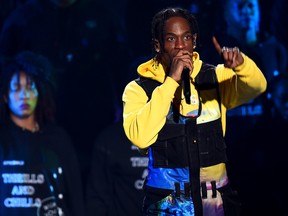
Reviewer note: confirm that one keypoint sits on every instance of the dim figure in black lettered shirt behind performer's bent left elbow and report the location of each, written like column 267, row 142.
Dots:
column 117, row 175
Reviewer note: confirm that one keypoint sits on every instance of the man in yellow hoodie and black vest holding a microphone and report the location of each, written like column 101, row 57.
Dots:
column 175, row 112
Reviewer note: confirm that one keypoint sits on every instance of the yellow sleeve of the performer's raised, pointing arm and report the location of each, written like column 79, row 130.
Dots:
column 243, row 84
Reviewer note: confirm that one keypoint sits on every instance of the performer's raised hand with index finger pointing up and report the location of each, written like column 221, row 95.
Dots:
column 231, row 56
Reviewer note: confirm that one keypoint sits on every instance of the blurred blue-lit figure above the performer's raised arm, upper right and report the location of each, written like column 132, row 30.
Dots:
column 243, row 20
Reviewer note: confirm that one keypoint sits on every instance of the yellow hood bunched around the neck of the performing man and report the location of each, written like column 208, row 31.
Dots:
column 154, row 70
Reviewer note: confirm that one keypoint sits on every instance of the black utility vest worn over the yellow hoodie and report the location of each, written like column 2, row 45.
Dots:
column 176, row 142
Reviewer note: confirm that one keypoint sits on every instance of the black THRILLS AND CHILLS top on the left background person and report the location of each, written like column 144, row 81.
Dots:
column 36, row 178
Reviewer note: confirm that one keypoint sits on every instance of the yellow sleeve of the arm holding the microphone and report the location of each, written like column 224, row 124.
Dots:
column 143, row 120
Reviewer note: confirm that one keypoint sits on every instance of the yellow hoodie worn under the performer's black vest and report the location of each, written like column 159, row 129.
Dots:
column 143, row 120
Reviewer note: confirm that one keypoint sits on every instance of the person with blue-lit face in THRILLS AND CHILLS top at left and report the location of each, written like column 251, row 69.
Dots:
column 40, row 174
